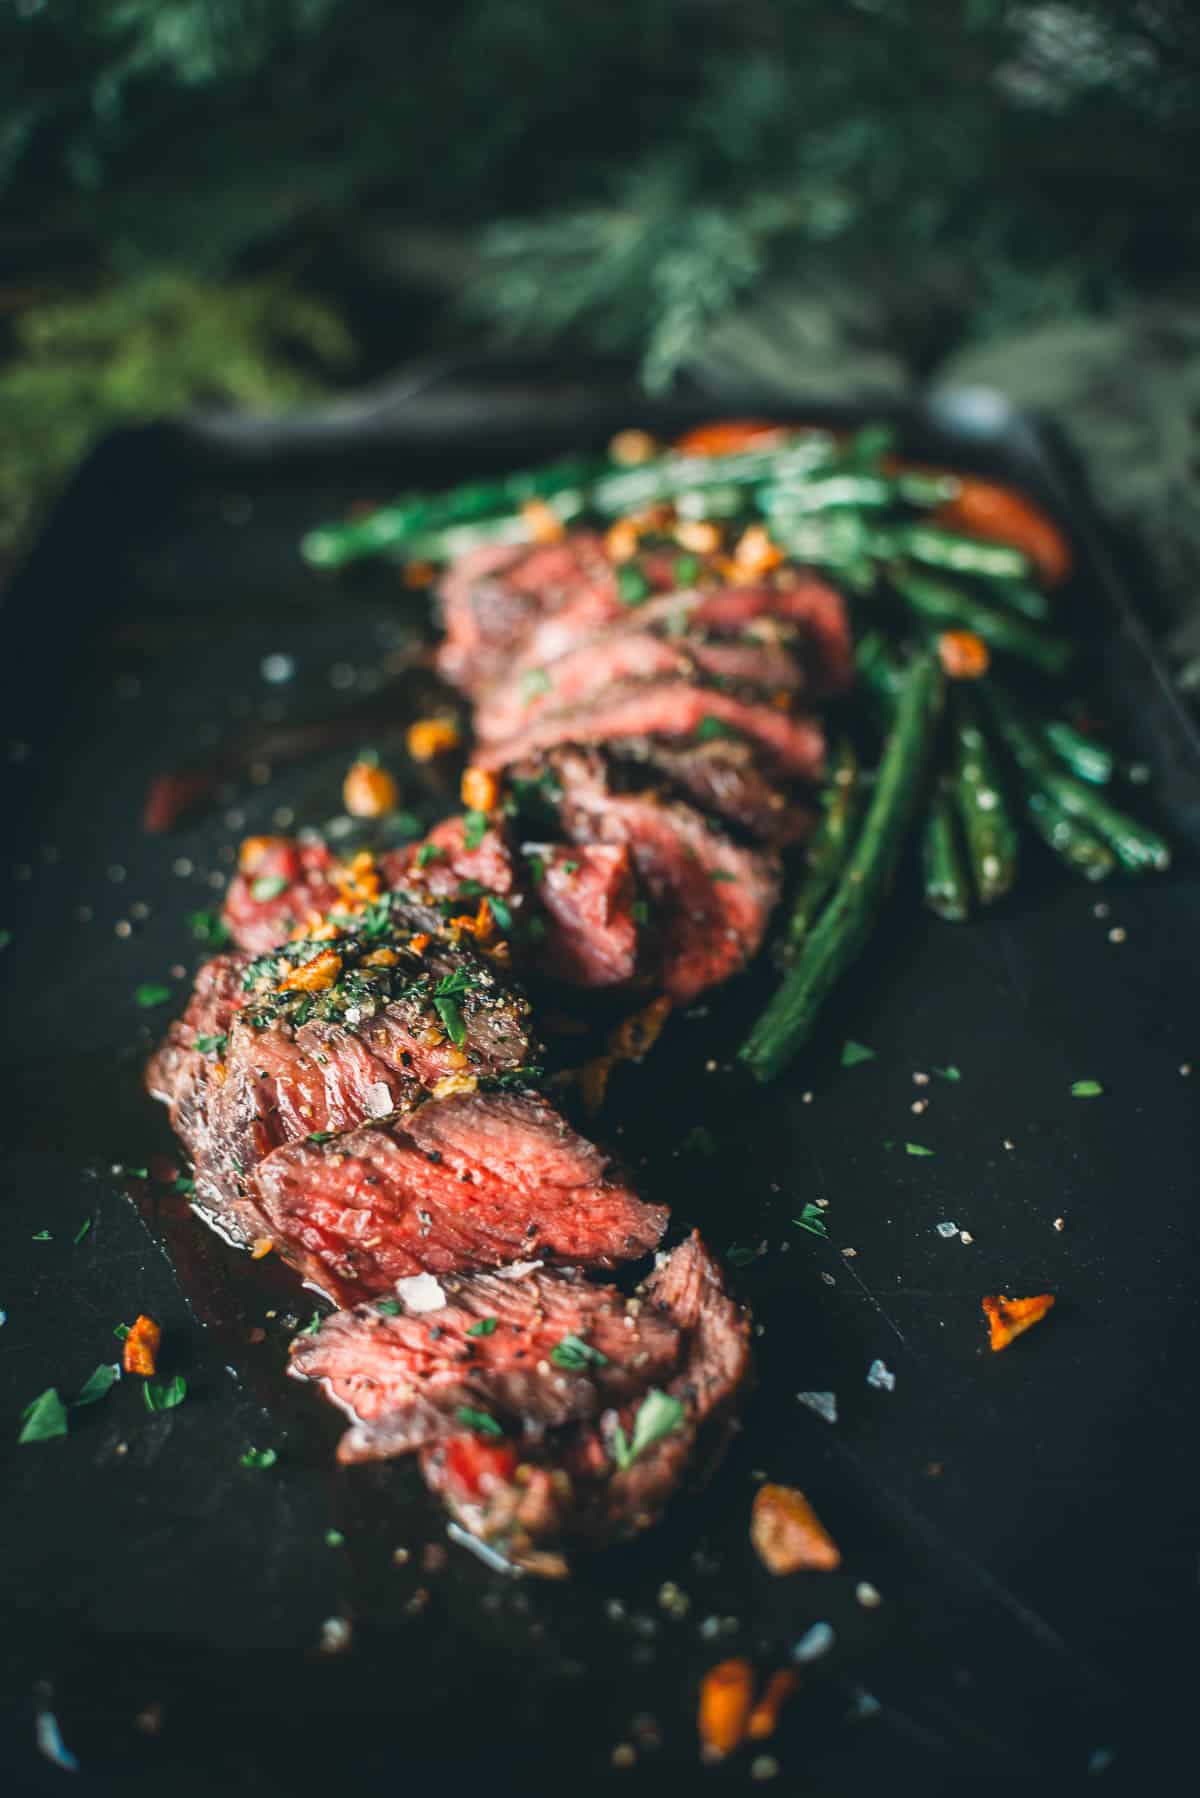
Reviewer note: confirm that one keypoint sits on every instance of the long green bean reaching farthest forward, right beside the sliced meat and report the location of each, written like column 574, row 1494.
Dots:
column 848, row 920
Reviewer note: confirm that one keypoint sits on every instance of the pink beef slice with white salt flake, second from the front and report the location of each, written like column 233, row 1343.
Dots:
column 533, row 1353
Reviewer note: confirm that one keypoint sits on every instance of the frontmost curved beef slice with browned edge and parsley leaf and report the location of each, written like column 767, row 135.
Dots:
column 605, row 1481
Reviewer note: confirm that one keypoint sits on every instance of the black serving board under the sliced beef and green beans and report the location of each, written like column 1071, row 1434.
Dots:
column 1030, row 1518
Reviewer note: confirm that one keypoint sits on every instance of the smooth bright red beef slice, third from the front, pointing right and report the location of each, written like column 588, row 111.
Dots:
column 470, row 1182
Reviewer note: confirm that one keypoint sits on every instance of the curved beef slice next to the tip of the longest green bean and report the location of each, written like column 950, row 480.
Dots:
column 713, row 898
